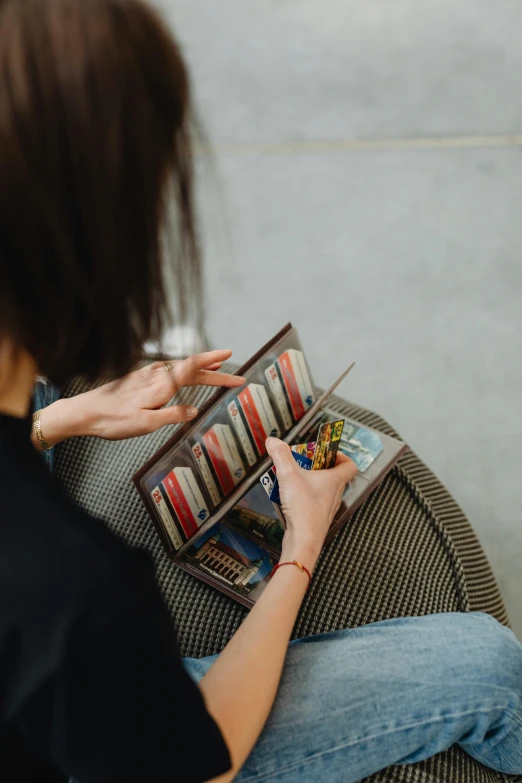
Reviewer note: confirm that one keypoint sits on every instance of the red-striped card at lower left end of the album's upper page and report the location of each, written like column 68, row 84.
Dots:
column 179, row 497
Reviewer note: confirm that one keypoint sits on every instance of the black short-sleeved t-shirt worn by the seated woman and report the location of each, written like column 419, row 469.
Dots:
column 91, row 681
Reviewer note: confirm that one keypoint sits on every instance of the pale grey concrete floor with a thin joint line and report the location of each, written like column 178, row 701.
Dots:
column 369, row 188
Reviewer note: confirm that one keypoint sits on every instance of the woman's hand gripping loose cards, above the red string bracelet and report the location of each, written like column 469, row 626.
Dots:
column 309, row 501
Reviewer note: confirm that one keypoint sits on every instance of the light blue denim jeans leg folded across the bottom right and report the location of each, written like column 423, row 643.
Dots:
column 395, row 692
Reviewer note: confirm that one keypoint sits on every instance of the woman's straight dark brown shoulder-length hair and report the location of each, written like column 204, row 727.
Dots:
column 95, row 148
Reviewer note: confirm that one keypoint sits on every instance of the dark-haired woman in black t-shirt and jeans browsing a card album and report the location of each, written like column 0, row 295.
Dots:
column 94, row 142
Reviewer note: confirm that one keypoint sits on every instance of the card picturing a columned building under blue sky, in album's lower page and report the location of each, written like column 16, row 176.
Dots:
column 231, row 558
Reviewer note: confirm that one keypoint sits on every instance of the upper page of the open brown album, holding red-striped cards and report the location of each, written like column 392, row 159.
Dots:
column 211, row 462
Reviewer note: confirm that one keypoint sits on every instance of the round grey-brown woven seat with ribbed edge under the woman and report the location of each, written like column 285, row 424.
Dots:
column 409, row 550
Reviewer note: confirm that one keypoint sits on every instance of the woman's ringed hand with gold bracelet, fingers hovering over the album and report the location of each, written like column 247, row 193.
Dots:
column 134, row 404
